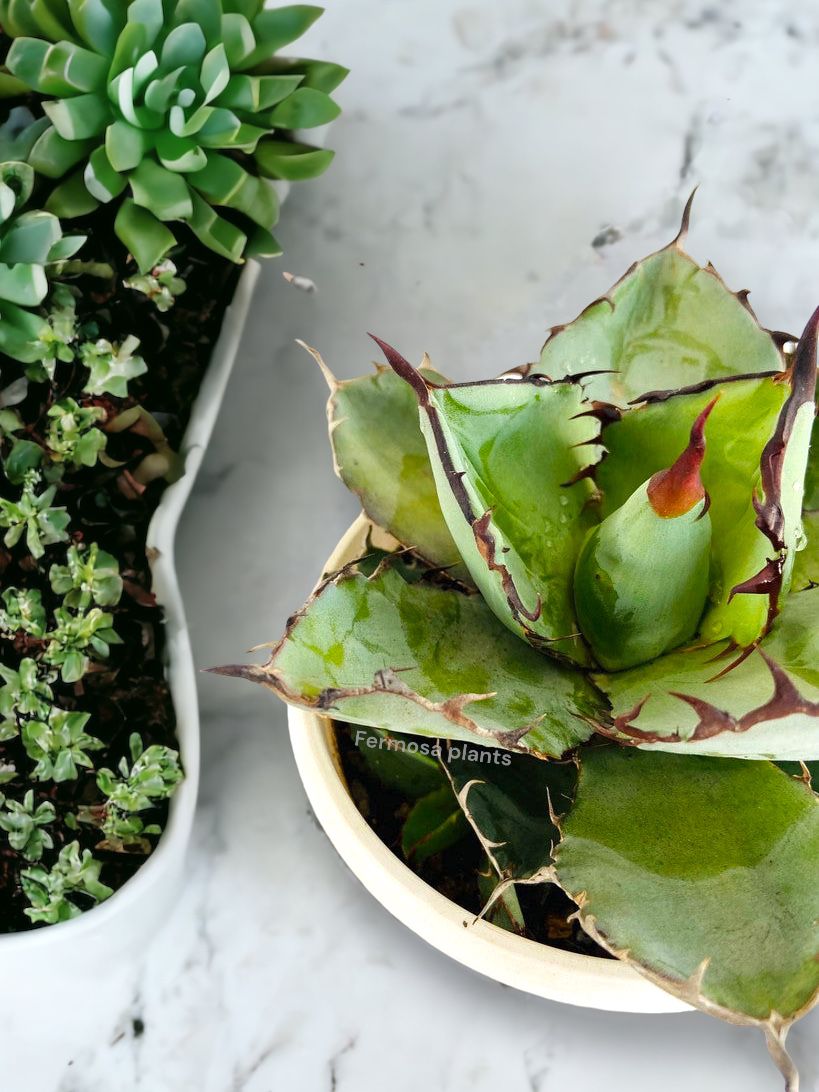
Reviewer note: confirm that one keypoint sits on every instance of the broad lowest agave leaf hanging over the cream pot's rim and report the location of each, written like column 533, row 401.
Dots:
column 702, row 874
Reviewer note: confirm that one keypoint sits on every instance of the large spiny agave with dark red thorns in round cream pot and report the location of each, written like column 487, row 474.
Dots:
column 596, row 556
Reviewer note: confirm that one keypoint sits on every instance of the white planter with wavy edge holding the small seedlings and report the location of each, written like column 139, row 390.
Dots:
column 135, row 912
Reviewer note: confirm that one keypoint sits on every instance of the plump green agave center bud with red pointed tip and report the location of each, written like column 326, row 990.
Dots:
column 643, row 576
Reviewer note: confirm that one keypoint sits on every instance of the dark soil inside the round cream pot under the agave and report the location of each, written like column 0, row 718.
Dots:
column 455, row 872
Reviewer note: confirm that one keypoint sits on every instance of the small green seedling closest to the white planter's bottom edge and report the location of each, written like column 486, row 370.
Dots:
column 53, row 894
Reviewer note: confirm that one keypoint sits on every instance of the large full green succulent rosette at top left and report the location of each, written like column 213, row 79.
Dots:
column 175, row 109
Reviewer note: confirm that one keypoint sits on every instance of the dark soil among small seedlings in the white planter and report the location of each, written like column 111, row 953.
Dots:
column 128, row 693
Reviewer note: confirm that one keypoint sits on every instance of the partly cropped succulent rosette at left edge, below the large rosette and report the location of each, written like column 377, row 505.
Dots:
column 32, row 246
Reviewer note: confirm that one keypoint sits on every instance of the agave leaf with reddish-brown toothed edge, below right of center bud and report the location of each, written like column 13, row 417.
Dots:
column 766, row 707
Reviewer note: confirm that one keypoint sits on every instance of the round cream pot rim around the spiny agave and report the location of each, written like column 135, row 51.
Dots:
column 515, row 962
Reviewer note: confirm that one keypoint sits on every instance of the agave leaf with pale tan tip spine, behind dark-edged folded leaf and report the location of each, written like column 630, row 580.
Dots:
column 381, row 455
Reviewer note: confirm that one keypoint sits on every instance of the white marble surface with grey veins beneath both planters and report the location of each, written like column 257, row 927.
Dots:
column 500, row 164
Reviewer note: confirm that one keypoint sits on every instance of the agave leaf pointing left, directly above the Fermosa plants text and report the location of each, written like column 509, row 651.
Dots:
column 412, row 657
